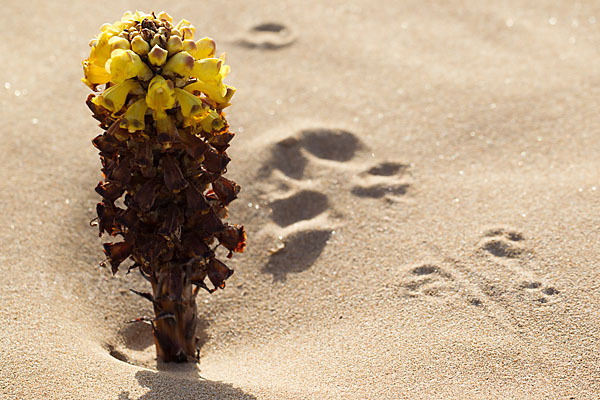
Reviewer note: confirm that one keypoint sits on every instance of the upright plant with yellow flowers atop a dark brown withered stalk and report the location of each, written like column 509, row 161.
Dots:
column 159, row 97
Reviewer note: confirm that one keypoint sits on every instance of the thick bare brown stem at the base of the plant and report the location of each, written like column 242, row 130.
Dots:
column 176, row 315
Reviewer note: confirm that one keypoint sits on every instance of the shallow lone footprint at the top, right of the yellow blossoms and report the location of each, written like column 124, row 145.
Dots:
column 268, row 36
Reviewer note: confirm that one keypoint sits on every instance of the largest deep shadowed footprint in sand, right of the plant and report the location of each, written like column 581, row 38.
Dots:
column 300, row 208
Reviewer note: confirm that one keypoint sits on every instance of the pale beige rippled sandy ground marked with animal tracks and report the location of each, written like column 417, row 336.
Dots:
column 421, row 187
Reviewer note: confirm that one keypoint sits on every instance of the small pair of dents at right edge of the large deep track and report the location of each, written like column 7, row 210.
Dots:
column 386, row 180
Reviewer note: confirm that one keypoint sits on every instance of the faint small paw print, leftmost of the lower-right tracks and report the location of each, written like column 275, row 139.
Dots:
column 428, row 280
